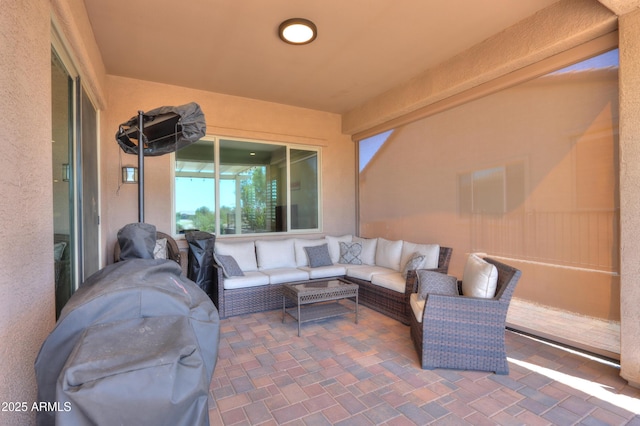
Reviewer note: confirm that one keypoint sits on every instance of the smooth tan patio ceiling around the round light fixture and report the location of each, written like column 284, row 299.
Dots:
column 364, row 47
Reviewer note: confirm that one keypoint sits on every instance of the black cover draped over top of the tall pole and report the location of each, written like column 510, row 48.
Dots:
column 166, row 129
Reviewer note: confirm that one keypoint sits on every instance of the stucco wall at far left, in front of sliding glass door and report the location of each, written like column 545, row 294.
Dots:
column 27, row 311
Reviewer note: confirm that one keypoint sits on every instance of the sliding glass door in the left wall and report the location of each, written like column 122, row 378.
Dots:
column 75, row 181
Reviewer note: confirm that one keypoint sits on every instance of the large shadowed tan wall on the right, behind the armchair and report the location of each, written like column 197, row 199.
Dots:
column 560, row 224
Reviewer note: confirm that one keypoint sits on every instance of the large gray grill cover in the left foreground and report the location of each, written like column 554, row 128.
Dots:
column 136, row 344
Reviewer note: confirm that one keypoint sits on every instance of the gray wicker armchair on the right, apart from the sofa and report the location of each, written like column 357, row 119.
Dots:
column 465, row 333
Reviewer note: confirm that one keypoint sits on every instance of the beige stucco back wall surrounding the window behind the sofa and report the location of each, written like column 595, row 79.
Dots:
column 225, row 116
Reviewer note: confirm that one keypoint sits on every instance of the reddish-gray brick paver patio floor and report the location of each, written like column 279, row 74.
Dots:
column 341, row 373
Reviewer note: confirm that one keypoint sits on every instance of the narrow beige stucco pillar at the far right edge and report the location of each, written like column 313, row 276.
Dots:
column 630, row 195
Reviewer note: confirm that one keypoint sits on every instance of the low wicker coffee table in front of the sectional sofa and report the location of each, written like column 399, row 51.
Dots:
column 318, row 299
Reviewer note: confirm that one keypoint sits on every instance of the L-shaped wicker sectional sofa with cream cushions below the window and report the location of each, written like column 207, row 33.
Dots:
column 375, row 264
